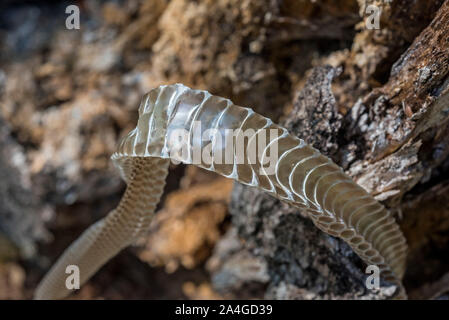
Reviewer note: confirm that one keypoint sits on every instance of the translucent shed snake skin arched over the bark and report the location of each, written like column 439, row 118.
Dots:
column 302, row 177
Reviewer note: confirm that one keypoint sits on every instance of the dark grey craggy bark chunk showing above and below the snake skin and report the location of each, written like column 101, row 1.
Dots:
column 293, row 258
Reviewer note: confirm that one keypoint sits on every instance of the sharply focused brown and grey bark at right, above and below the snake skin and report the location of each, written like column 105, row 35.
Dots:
column 392, row 141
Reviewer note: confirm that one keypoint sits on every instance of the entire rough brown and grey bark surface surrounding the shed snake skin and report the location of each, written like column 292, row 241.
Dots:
column 375, row 101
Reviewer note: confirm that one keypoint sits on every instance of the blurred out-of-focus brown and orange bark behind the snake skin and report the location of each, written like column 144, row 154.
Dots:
column 67, row 96
